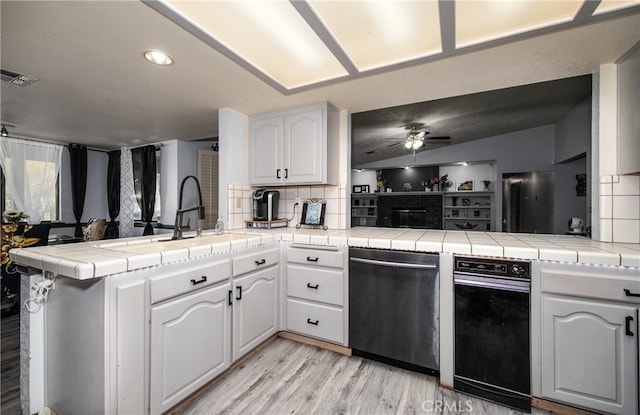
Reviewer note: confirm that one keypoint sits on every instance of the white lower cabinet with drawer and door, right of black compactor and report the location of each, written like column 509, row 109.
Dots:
column 588, row 337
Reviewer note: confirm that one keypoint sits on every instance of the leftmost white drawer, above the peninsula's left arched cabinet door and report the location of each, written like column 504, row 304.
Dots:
column 188, row 279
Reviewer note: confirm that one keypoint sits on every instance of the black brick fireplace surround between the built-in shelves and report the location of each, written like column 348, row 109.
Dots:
column 432, row 203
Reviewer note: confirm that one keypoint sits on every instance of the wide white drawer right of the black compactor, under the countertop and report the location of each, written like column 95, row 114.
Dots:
column 622, row 284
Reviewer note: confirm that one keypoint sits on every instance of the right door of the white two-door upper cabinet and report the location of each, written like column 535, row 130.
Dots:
column 304, row 144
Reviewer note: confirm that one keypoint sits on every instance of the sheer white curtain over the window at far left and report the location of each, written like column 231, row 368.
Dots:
column 31, row 170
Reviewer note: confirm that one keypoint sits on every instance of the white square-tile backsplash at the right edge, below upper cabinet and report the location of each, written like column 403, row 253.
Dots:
column 620, row 208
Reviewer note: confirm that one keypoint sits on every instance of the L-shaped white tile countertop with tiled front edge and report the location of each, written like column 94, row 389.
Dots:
column 101, row 258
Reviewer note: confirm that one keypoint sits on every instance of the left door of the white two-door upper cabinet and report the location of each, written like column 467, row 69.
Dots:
column 265, row 148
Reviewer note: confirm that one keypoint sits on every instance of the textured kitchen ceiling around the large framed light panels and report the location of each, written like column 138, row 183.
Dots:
column 94, row 87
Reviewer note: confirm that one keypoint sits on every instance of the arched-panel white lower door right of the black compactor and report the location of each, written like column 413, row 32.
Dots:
column 589, row 358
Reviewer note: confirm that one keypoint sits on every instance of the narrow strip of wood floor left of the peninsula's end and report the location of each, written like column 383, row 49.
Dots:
column 10, row 365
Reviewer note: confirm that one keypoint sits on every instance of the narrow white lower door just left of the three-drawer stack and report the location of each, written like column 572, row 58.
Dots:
column 254, row 309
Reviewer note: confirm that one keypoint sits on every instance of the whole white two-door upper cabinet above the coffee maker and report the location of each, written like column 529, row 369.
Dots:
column 295, row 146
